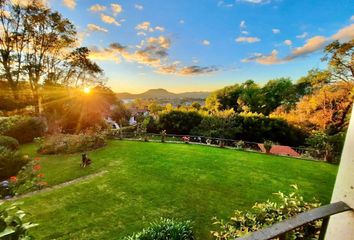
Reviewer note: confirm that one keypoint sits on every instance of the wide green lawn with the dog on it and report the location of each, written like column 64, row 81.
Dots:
column 146, row 181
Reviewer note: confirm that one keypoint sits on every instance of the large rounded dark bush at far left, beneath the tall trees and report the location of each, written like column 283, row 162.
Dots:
column 26, row 129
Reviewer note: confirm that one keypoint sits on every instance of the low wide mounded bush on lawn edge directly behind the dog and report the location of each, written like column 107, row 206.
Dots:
column 66, row 143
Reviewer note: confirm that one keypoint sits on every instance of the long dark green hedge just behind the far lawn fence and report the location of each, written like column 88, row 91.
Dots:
column 248, row 128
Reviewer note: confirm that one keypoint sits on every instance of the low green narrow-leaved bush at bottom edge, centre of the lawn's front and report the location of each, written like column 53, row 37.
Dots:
column 165, row 229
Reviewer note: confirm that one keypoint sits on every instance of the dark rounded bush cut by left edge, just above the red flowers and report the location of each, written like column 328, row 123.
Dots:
column 11, row 163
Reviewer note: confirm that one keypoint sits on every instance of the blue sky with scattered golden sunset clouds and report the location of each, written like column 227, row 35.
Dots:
column 203, row 45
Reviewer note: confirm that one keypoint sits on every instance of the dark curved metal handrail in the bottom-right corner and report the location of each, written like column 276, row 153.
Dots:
column 279, row 230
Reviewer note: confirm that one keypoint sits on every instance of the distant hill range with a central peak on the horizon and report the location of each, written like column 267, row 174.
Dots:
column 163, row 94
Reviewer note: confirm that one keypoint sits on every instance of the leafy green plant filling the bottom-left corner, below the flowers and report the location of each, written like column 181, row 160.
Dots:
column 12, row 224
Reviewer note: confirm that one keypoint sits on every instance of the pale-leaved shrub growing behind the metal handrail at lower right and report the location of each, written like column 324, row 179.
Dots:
column 266, row 214
